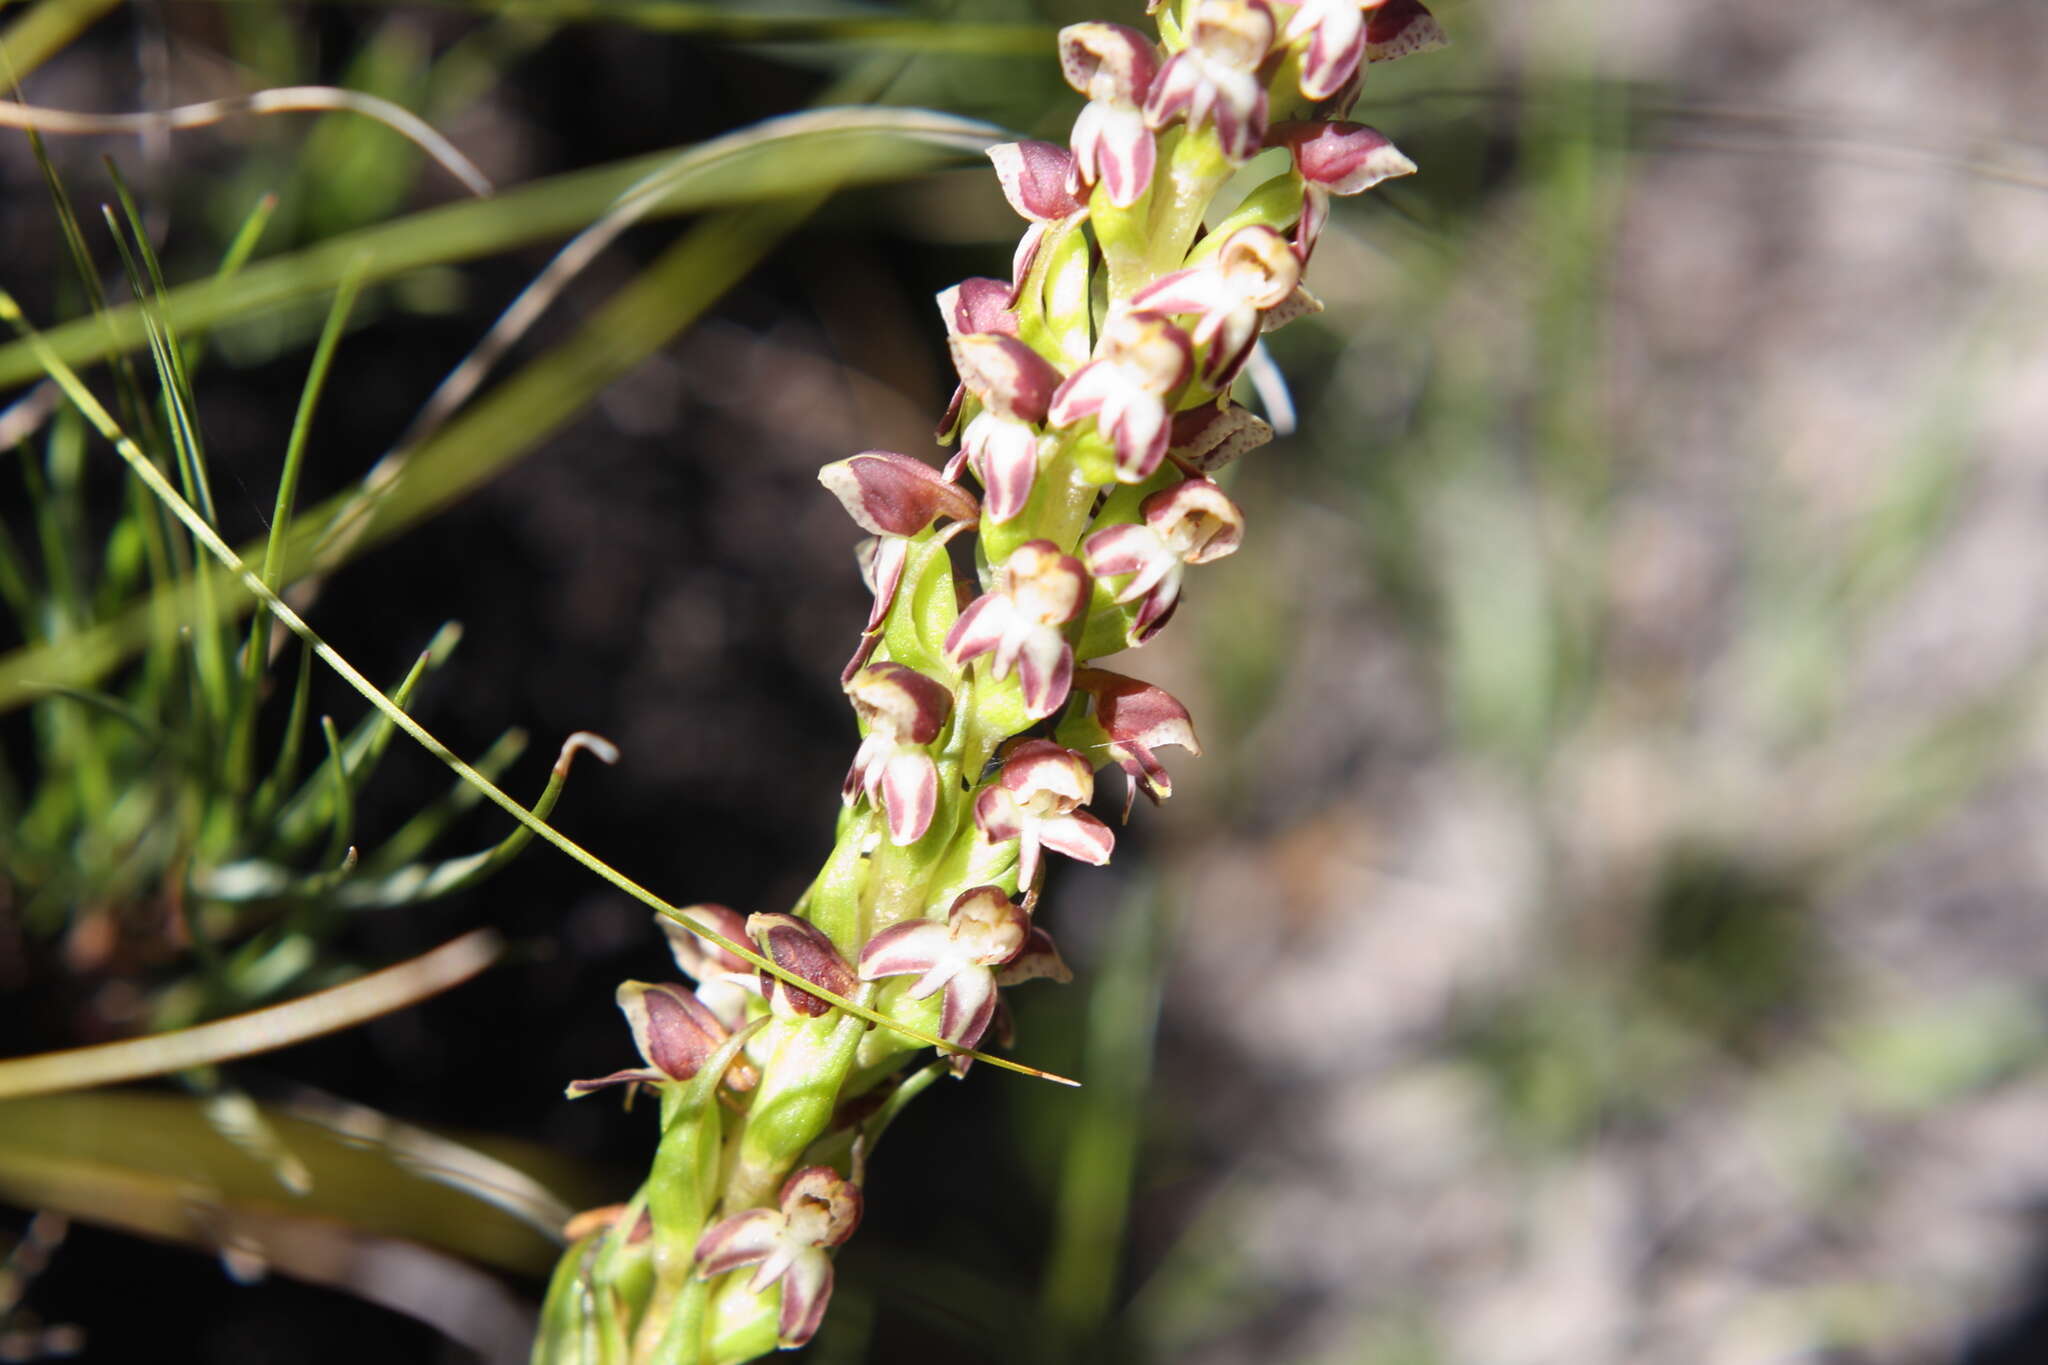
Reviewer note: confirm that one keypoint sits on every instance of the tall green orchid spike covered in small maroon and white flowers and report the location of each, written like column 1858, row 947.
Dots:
column 1095, row 404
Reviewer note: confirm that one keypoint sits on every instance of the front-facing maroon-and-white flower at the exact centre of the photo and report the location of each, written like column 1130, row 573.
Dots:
column 1023, row 623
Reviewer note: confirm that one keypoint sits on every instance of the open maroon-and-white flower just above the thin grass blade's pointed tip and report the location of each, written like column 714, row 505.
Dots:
column 959, row 957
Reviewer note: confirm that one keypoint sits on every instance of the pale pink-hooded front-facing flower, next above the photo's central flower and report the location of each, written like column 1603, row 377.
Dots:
column 1140, row 361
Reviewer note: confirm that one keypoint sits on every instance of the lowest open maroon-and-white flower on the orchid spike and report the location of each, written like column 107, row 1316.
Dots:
column 818, row 1208
